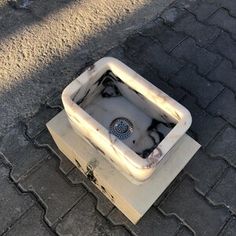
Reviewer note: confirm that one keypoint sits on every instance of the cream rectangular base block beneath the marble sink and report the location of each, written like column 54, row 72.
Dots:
column 132, row 200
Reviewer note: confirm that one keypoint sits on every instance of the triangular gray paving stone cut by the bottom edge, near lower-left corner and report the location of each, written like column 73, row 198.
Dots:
column 31, row 224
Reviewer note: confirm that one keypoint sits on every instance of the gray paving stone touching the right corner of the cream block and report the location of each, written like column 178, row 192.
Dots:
column 199, row 168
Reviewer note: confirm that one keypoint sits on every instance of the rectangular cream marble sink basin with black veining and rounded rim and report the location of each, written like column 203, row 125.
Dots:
column 132, row 123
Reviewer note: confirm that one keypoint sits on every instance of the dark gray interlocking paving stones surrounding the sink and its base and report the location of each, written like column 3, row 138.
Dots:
column 189, row 51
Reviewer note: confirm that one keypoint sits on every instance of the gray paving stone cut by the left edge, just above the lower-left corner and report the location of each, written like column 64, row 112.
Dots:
column 13, row 204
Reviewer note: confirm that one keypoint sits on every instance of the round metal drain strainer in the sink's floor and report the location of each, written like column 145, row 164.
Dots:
column 121, row 127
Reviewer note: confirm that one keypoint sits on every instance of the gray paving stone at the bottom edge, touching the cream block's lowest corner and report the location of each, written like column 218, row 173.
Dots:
column 152, row 223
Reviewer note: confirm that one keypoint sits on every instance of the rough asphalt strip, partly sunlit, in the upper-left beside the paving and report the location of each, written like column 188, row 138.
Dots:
column 44, row 46
